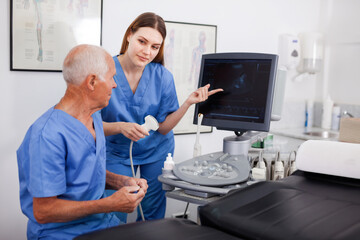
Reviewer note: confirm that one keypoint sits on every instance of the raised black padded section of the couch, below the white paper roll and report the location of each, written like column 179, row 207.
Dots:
column 302, row 206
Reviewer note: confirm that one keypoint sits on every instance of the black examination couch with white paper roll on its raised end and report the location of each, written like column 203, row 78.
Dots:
column 321, row 200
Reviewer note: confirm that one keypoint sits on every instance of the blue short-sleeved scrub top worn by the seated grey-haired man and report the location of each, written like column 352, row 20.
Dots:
column 59, row 157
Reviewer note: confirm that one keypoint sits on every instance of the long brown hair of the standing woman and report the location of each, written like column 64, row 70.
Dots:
column 147, row 19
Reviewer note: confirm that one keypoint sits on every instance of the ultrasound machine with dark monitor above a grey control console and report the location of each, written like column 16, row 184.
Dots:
column 244, row 107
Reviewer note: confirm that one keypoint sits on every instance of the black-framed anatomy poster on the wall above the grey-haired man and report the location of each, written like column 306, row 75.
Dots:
column 43, row 31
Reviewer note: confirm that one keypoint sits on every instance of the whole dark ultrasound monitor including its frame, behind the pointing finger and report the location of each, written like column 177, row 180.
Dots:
column 248, row 82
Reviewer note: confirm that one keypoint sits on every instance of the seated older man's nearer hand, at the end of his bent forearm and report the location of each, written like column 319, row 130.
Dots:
column 126, row 199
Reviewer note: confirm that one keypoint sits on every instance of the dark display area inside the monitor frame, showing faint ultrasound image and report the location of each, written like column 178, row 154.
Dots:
column 245, row 84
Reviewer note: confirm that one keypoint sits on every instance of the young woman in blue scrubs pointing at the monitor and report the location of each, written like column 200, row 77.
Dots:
column 144, row 87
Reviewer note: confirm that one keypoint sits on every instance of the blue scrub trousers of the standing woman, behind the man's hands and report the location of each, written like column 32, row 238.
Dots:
column 154, row 202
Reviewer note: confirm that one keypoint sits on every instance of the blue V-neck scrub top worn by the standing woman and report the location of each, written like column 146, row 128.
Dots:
column 156, row 96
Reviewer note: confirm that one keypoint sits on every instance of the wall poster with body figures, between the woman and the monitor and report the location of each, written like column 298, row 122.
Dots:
column 184, row 45
